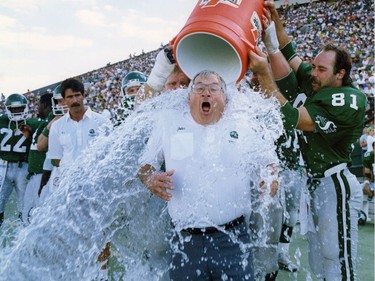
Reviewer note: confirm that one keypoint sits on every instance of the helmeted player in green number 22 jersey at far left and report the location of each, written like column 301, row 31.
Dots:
column 16, row 129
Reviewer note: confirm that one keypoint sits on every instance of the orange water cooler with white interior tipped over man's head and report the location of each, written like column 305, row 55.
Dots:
column 218, row 36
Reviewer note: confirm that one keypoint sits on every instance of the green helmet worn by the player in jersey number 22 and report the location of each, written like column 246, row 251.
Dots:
column 17, row 107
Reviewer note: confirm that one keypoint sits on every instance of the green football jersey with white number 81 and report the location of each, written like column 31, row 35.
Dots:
column 338, row 114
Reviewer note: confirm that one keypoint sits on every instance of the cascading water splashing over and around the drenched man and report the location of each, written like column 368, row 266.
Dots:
column 100, row 199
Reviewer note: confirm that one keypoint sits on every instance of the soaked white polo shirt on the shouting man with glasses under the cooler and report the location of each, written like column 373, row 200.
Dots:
column 213, row 166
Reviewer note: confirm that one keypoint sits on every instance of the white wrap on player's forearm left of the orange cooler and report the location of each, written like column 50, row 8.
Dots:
column 164, row 65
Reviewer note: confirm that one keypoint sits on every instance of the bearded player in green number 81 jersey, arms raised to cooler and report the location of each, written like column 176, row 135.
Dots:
column 331, row 119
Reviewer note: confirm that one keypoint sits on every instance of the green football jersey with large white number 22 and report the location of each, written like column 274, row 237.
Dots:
column 14, row 146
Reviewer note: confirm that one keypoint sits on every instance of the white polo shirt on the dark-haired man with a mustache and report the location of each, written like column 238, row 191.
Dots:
column 68, row 138
